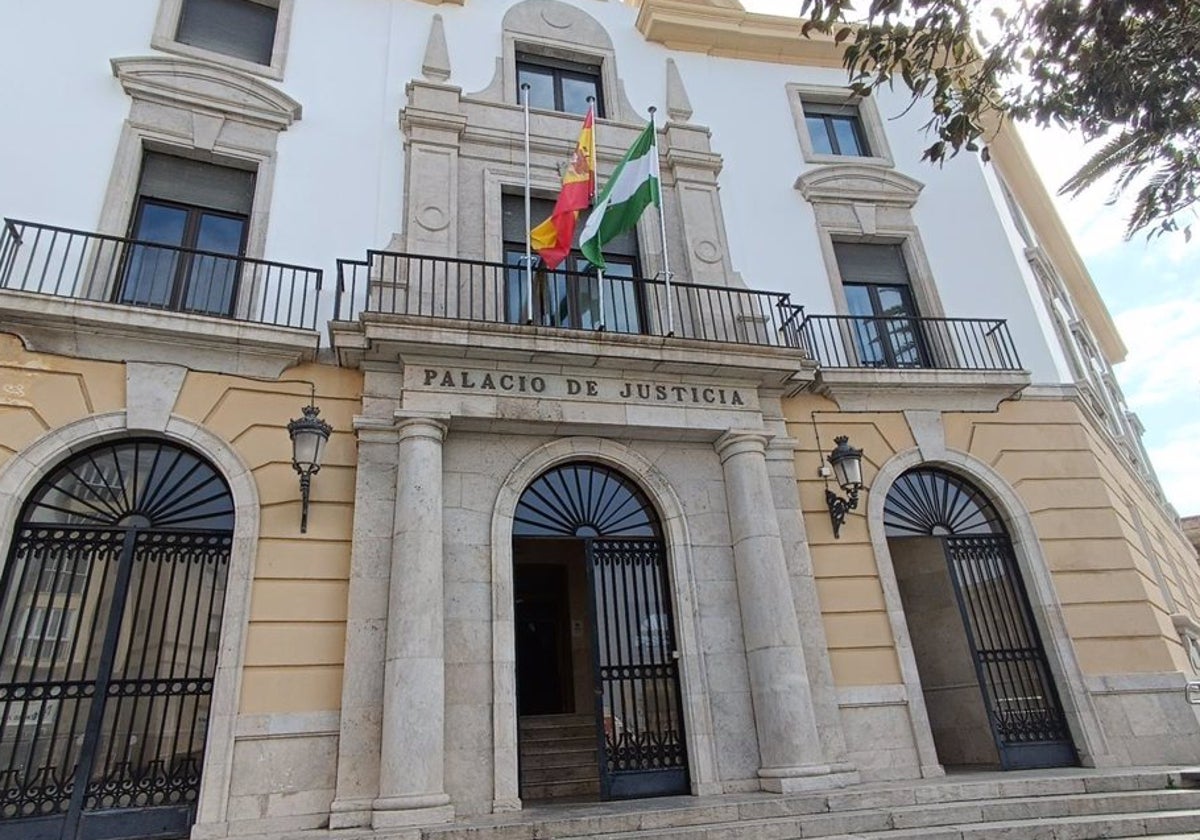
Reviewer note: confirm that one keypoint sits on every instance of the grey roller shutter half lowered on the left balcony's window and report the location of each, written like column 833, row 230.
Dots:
column 197, row 184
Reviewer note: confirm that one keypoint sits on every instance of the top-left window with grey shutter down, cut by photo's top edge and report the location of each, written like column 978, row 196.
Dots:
column 242, row 29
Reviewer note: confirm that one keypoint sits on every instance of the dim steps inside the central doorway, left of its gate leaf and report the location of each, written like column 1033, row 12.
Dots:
column 559, row 758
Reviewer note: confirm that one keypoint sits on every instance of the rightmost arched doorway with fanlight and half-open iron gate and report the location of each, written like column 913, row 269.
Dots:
column 985, row 673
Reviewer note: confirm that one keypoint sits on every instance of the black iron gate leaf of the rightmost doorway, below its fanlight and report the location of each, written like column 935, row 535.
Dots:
column 1023, row 705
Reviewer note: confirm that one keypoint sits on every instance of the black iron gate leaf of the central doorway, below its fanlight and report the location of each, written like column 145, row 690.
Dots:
column 639, row 709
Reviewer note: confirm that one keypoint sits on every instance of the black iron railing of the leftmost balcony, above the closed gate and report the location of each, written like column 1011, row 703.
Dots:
column 67, row 263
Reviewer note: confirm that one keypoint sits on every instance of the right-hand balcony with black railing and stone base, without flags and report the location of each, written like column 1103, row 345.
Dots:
column 904, row 362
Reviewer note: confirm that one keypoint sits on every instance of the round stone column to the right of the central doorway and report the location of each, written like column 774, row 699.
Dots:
column 789, row 745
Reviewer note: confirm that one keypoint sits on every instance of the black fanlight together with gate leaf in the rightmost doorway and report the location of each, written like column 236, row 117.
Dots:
column 1023, row 705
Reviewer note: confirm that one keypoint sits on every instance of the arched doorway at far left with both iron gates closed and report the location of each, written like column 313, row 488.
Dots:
column 111, row 605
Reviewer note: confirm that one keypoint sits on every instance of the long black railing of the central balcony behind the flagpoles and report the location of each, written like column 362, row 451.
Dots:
column 475, row 291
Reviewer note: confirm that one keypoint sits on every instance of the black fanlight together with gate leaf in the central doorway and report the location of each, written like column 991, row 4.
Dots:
column 635, row 662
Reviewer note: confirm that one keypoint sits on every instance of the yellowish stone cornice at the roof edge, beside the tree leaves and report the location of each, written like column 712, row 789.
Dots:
column 728, row 31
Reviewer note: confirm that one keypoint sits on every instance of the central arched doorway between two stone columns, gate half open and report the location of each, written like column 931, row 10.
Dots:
column 596, row 643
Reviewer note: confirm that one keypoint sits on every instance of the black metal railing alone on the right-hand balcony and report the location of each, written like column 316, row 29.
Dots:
column 901, row 343
